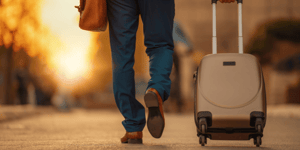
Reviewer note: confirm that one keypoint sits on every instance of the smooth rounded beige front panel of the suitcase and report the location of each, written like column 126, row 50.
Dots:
column 229, row 86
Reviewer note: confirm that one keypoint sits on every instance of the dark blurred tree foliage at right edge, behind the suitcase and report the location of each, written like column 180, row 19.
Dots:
column 268, row 33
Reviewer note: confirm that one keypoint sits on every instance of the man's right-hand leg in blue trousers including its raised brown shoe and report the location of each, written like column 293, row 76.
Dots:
column 158, row 16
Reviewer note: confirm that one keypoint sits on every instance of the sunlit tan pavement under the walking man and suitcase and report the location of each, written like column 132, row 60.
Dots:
column 102, row 129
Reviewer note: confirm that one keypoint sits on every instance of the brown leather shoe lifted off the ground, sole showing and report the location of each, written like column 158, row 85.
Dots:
column 156, row 120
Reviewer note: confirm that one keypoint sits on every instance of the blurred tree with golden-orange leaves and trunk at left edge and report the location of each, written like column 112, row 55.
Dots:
column 19, row 25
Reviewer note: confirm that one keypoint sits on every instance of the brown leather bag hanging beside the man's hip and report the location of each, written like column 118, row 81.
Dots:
column 93, row 15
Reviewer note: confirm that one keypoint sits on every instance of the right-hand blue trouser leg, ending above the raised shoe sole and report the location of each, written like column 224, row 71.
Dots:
column 158, row 19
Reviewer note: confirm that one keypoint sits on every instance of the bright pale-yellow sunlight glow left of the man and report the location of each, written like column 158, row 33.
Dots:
column 71, row 59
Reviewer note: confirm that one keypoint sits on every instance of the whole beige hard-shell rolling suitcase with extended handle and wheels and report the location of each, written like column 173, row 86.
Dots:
column 230, row 97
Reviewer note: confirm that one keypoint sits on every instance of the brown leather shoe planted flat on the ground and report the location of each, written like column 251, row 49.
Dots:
column 132, row 137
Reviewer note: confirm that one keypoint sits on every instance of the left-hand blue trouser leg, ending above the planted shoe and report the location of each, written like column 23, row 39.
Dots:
column 123, row 23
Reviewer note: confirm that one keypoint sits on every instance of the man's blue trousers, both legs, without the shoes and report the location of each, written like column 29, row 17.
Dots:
column 157, row 17
